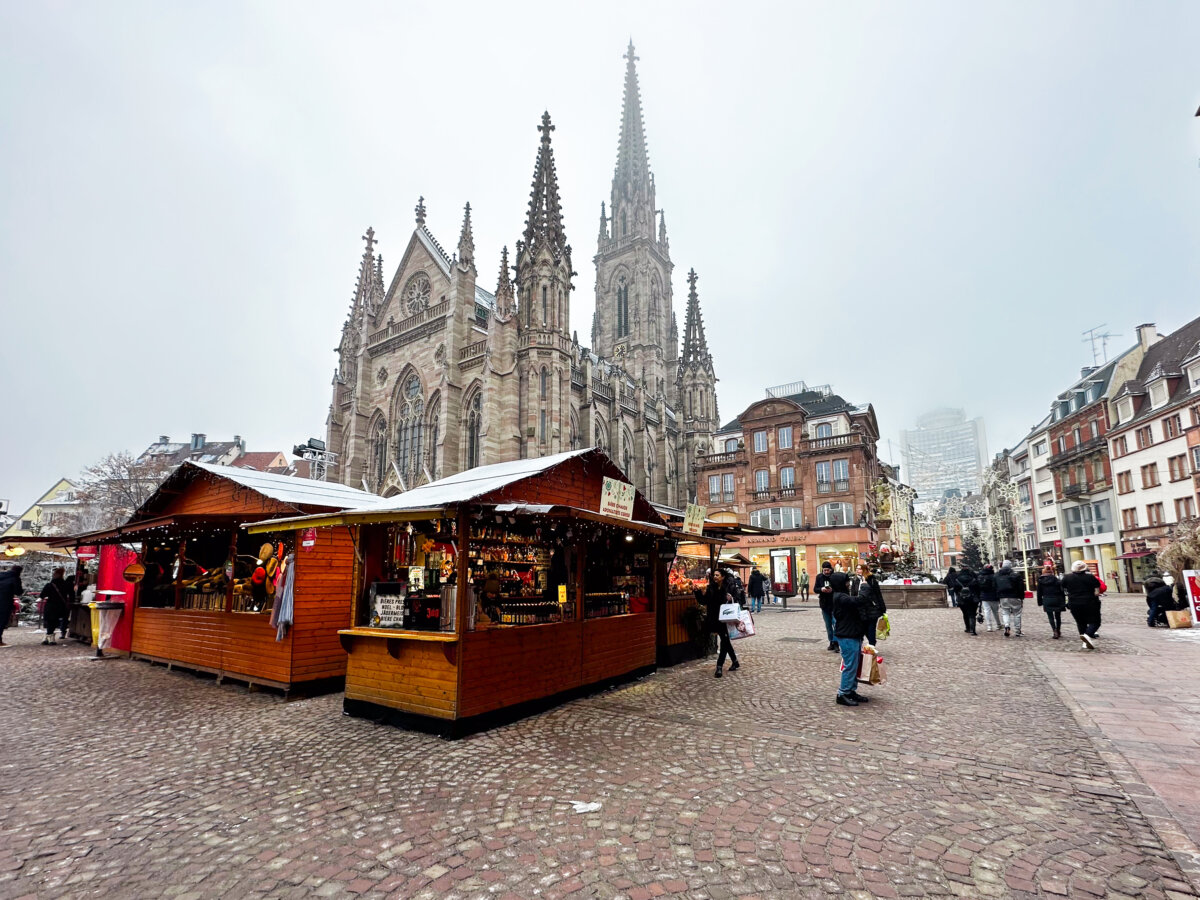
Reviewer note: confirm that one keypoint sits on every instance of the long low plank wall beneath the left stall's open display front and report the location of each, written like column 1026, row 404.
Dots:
column 239, row 644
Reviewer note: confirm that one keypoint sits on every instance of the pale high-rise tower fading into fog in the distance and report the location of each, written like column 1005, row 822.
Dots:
column 946, row 452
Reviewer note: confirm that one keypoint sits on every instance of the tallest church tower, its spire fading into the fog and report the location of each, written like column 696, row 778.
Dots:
column 634, row 320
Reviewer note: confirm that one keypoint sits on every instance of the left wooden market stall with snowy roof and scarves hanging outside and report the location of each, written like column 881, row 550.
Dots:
column 203, row 595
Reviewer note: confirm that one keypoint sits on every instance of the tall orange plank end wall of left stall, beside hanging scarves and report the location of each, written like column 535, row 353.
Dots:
column 325, row 602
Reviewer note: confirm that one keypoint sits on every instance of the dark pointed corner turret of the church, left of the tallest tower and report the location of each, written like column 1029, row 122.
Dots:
column 544, row 293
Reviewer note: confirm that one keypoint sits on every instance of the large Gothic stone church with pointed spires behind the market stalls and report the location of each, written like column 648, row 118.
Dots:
column 437, row 375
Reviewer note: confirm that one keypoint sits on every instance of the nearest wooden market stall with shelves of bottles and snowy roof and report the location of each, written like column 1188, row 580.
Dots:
column 502, row 591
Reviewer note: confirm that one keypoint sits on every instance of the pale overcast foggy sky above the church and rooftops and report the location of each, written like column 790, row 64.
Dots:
column 916, row 203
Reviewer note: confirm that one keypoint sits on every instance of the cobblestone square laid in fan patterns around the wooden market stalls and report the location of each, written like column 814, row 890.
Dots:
column 973, row 773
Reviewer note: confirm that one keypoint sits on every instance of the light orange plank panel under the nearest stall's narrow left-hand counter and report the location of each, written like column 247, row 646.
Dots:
column 422, row 679
